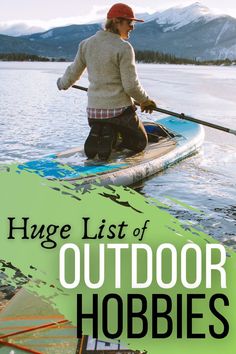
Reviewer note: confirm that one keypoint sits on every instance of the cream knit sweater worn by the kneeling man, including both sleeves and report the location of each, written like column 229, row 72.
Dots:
column 110, row 63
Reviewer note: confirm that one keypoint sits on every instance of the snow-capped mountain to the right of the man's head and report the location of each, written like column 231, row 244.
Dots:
column 192, row 31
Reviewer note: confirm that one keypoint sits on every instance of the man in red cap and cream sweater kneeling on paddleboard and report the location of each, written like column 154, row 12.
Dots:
column 110, row 62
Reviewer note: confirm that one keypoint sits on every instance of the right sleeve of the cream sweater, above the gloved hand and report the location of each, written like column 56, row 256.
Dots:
column 129, row 76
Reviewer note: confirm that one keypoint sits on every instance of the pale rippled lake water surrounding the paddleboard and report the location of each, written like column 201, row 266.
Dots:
column 36, row 119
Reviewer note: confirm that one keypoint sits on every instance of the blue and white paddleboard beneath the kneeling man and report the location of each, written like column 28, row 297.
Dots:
column 124, row 167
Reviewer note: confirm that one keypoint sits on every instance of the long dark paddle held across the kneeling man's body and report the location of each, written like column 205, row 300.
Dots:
column 180, row 115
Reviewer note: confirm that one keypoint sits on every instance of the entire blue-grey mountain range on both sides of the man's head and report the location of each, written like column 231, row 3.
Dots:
column 192, row 31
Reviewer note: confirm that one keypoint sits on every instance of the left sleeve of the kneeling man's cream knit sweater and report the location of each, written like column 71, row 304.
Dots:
column 73, row 71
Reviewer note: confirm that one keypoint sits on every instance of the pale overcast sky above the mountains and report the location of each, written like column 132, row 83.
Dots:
column 59, row 12
